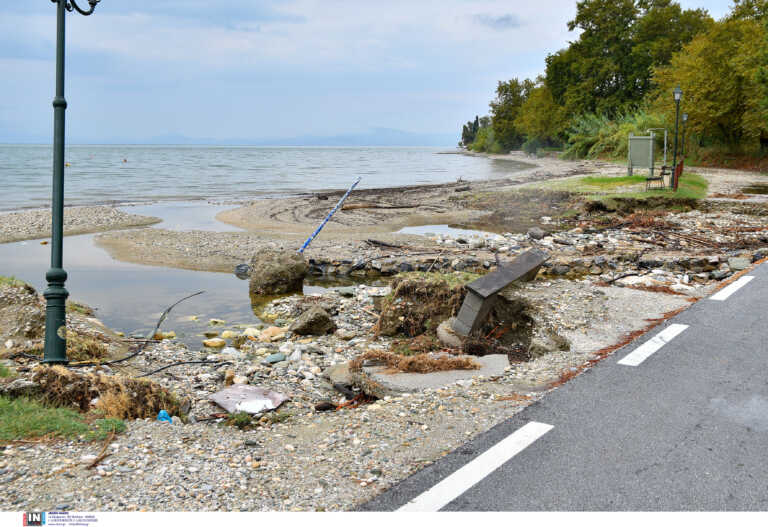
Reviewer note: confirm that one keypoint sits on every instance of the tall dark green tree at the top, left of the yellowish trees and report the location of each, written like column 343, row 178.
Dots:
column 608, row 70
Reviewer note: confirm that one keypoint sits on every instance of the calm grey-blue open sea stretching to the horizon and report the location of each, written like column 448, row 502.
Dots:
column 131, row 173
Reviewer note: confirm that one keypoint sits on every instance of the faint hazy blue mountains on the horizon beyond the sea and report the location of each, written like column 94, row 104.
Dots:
column 373, row 137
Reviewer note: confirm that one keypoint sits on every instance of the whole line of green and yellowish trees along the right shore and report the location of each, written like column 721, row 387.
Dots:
column 618, row 77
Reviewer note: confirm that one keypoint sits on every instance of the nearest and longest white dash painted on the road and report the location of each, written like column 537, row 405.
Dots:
column 476, row 470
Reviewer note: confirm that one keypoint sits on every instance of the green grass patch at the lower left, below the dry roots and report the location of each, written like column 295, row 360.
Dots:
column 24, row 418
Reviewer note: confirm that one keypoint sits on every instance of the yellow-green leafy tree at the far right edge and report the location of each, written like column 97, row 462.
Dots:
column 719, row 74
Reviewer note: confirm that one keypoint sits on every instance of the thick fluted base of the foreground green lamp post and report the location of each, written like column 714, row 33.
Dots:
column 56, row 318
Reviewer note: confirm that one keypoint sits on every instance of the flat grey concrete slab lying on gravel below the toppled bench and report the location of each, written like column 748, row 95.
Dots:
column 375, row 380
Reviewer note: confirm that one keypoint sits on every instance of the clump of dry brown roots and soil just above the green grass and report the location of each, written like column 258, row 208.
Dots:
column 116, row 396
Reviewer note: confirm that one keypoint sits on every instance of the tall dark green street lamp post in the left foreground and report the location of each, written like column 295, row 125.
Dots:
column 56, row 295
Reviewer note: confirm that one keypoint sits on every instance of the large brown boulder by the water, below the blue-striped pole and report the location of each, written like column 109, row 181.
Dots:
column 277, row 272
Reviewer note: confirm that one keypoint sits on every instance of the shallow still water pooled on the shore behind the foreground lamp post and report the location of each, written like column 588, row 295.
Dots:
column 130, row 297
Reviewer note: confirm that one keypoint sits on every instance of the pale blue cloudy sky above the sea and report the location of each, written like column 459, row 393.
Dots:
column 240, row 70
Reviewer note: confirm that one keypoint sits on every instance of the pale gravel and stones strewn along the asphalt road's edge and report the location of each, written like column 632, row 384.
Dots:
column 331, row 460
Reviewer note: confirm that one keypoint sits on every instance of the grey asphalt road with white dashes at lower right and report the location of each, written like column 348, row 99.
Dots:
column 686, row 429
